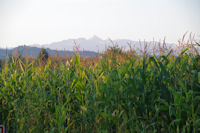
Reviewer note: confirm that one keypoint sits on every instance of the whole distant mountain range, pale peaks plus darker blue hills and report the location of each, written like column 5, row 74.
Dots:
column 90, row 46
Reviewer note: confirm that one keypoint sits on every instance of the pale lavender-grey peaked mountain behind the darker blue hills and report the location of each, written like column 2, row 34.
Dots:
column 94, row 44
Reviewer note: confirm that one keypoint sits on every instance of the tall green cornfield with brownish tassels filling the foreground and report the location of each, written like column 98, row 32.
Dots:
column 118, row 91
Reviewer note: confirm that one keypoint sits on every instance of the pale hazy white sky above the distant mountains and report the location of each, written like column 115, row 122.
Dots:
column 45, row 21
